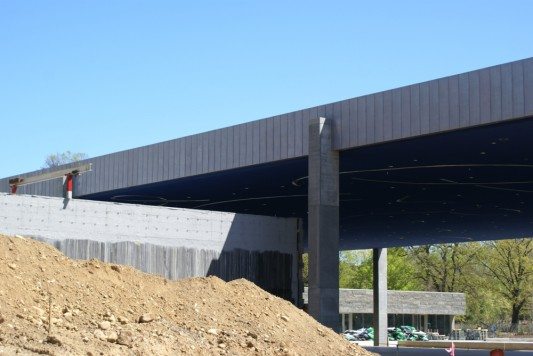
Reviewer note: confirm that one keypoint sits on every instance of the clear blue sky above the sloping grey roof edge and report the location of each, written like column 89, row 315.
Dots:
column 103, row 76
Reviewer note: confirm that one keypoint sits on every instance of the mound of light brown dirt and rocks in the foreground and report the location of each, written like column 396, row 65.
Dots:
column 98, row 308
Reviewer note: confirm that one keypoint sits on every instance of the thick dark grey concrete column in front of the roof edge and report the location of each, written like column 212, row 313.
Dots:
column 323, row 224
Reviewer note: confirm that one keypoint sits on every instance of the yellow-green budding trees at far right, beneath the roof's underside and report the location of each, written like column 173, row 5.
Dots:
column 496, row 276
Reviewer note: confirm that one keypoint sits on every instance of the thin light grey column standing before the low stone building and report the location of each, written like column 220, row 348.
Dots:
column 379, row 262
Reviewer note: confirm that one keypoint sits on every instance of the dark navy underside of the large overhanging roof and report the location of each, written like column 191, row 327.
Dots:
column 472, row 184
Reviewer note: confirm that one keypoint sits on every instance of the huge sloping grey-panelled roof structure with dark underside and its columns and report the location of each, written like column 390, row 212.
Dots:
column 447, row 160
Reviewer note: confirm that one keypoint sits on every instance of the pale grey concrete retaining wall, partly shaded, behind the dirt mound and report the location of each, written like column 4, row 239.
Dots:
column 172, row 242
